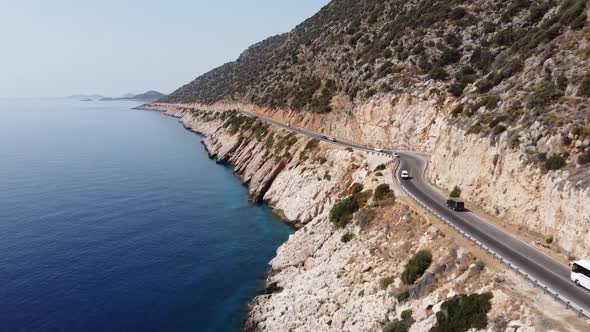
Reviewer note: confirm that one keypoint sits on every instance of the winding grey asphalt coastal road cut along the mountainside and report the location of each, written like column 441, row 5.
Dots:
column 543, row 270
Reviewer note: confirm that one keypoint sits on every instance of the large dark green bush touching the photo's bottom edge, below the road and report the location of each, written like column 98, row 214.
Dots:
column 463, row 312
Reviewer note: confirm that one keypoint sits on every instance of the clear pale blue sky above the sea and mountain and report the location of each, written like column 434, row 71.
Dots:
column 63, row 47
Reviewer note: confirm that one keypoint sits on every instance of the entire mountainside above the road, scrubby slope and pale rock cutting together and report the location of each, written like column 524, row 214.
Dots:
column 497, row 92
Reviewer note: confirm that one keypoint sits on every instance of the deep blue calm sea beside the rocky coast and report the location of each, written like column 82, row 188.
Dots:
column 113, row 219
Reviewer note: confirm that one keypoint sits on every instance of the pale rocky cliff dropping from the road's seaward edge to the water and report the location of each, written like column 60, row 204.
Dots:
column 350, row 278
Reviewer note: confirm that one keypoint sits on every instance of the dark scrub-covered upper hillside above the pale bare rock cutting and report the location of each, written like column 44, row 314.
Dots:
column 506, row 63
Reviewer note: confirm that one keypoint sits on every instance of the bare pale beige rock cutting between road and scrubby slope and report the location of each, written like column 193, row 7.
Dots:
column 503, row 181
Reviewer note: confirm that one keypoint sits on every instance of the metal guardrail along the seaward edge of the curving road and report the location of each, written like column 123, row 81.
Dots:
column 536, row 283
